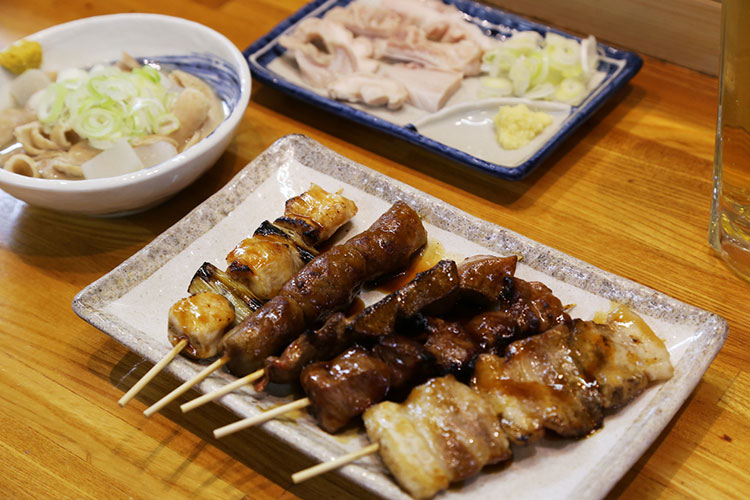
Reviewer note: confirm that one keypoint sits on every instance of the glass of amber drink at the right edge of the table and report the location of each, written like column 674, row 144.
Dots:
column 729, row 233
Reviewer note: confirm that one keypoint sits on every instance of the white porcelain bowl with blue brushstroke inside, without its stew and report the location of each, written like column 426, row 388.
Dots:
column 188, row 45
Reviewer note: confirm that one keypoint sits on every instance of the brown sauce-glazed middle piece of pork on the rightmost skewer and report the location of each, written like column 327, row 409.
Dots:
column 539, row 385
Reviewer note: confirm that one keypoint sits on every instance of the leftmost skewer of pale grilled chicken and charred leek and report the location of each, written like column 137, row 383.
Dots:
column 258, row 267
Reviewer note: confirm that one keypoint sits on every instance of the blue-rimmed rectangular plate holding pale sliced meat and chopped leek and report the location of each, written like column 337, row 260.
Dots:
column 437, row 131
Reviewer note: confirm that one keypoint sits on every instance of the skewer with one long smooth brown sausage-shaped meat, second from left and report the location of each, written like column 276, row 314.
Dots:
column 328, row 283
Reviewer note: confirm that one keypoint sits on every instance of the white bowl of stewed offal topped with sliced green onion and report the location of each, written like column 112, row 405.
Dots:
column 122, row 112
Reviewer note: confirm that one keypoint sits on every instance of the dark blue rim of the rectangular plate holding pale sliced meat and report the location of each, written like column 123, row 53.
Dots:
column 266, row 49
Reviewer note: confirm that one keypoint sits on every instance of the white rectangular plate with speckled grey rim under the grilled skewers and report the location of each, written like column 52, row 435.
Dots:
column 131, row 302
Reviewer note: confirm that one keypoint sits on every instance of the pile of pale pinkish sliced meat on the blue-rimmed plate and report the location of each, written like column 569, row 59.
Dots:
column 387, row 52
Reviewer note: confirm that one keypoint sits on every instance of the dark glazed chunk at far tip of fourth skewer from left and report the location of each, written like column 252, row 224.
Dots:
column 530, row 309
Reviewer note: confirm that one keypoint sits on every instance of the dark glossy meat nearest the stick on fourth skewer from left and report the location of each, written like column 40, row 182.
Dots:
column 343, row 388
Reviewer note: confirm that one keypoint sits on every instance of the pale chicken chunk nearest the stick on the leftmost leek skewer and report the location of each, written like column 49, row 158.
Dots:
column 202, row 319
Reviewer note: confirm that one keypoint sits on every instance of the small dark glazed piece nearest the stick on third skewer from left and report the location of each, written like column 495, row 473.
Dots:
column 324, row 343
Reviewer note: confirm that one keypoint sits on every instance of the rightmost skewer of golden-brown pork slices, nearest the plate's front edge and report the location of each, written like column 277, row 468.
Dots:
column 562, row 380
